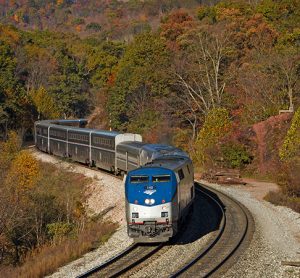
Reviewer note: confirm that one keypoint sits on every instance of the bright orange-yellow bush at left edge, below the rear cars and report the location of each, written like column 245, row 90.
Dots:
column 24, row 172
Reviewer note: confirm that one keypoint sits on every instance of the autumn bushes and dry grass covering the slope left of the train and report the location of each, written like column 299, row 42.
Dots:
column 43, row 220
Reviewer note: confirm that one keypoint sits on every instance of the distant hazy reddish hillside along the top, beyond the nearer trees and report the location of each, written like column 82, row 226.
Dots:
column 113, row 19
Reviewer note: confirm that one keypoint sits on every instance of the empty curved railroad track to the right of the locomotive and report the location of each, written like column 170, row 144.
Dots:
column 235, row 233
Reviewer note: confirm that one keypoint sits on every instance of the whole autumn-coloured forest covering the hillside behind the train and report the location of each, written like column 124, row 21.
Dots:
column 210, row 79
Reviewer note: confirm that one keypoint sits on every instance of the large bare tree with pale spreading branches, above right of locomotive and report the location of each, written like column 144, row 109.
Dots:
column 199, row 73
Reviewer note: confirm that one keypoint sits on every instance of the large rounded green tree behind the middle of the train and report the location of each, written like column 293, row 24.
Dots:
column 140, row 79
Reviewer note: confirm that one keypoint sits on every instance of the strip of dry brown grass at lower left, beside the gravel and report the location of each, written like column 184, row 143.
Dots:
column 46, row 259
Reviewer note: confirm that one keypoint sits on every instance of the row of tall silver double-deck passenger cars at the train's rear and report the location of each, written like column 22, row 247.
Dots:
column 90, row 146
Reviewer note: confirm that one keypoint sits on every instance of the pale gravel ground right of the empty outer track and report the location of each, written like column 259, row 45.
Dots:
column 276, row 238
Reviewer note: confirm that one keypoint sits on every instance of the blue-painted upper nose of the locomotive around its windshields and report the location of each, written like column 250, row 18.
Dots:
column 162, row 192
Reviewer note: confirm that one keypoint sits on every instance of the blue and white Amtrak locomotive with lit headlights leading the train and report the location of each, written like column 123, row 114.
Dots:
column 159, row 196
